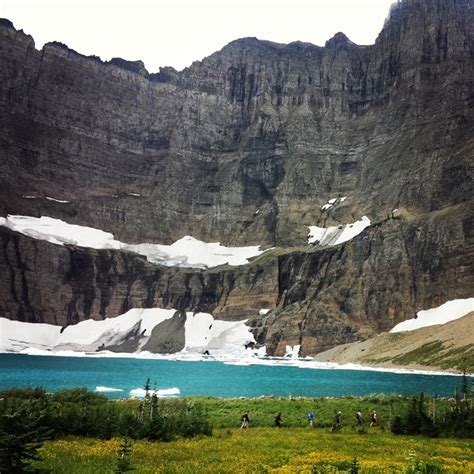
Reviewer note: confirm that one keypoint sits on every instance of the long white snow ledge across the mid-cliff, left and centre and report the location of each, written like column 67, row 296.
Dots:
column 186, row 252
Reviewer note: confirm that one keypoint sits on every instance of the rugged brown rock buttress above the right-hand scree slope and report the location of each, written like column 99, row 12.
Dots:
column 385, row 275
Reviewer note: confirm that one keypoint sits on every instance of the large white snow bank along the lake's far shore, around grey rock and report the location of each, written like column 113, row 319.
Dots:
column 202, row 333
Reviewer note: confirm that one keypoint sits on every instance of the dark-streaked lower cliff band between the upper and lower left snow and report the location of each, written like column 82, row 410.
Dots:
column 48, row 283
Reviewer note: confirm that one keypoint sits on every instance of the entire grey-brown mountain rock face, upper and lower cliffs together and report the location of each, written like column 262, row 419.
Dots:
column 245, row 147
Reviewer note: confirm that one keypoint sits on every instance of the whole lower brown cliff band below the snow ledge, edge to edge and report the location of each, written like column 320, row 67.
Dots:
column 320, row 296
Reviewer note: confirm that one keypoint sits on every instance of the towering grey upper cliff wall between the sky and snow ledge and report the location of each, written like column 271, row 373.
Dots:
column 245, row 146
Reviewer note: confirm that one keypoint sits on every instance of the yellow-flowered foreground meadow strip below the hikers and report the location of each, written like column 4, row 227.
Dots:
column 273, row 450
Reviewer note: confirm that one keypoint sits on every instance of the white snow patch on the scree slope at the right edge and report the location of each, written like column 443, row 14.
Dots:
column 443, row 314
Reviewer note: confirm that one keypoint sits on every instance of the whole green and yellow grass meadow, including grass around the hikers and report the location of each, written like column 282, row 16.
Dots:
column 295, row 448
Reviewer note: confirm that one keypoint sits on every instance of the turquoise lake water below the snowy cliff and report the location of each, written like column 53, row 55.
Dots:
column 210, row 378
